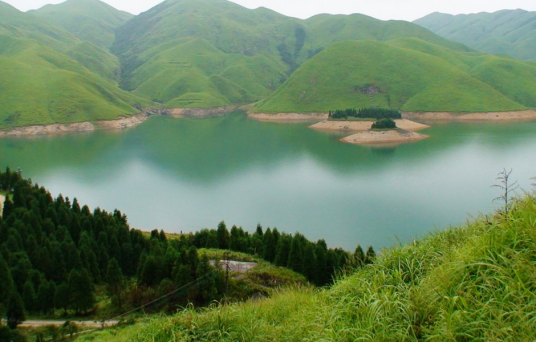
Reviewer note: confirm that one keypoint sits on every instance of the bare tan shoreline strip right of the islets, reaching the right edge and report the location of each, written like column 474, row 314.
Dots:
column 524, row 115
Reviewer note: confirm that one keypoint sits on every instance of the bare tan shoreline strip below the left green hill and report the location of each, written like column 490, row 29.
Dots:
column 121, row 123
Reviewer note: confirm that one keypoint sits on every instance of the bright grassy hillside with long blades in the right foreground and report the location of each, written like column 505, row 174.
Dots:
column 472, row 283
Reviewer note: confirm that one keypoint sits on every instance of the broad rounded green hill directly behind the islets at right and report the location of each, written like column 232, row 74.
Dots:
column 406, row 74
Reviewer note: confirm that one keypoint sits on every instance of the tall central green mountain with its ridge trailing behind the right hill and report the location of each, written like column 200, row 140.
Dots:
column 203, row 53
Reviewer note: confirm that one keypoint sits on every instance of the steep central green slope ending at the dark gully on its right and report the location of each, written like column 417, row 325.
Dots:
column 201, row 53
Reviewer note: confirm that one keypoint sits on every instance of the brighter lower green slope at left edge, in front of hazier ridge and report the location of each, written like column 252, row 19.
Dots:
column 41, row 86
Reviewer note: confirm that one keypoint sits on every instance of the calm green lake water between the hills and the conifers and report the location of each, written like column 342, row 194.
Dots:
column 184, row 175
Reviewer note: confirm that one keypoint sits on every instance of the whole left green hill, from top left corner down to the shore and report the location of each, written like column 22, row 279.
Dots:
column 50, row 76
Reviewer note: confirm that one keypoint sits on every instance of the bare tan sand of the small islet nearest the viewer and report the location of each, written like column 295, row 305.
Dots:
column 383, row 137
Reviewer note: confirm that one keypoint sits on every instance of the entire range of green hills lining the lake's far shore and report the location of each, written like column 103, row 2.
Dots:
column 212, row 53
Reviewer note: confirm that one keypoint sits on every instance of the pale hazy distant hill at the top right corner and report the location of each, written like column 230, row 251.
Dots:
column 508, row 32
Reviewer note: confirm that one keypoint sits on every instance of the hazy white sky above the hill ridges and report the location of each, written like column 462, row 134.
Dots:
column 381, row 9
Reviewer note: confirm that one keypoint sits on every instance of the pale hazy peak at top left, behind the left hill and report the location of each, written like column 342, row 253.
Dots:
column 89, row 20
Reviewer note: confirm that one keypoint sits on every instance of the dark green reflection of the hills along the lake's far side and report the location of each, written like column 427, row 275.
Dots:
column 213, row 149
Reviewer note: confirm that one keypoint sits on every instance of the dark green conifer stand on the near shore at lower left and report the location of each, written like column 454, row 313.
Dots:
column 54, row 252
